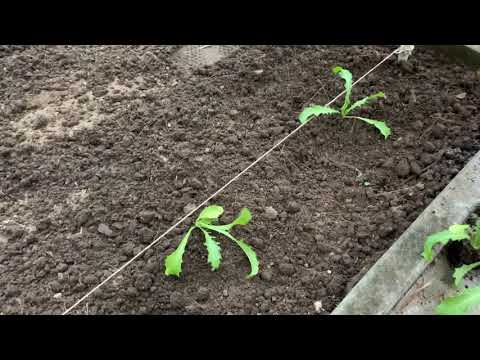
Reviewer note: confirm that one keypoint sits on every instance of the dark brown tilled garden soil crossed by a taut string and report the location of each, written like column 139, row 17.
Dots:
column 102, row 148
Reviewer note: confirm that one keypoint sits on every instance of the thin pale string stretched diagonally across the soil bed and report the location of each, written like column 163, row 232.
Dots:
column 400, row 50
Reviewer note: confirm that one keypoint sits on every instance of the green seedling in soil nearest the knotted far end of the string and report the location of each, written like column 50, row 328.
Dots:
column 317, row 110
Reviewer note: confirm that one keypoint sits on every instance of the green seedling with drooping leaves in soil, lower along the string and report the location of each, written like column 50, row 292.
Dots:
column 207, row 222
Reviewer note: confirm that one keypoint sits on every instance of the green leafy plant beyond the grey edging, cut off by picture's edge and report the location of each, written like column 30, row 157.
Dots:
column 468, row 297
